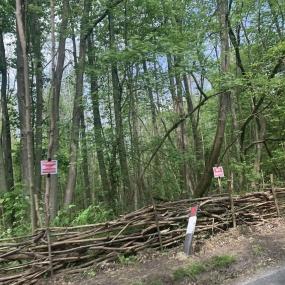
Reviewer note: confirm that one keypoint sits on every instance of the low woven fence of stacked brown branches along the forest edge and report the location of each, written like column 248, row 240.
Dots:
column 24, row 260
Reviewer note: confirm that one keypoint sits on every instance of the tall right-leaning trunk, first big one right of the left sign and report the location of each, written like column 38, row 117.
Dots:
column 77, row 105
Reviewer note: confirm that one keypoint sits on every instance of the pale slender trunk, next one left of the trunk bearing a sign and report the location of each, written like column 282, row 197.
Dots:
column 28, row 132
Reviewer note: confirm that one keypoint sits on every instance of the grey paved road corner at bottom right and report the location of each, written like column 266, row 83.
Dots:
column 274, row 277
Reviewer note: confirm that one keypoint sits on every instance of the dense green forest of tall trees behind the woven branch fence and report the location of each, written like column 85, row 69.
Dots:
column 137, row 100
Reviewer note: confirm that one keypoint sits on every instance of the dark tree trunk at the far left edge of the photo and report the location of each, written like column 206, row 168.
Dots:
column 6, row 155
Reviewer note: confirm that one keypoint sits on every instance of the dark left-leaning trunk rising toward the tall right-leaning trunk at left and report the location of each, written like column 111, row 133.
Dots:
column 110, row 195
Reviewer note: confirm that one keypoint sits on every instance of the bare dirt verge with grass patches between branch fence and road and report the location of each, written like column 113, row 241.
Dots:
column 253, row 249
